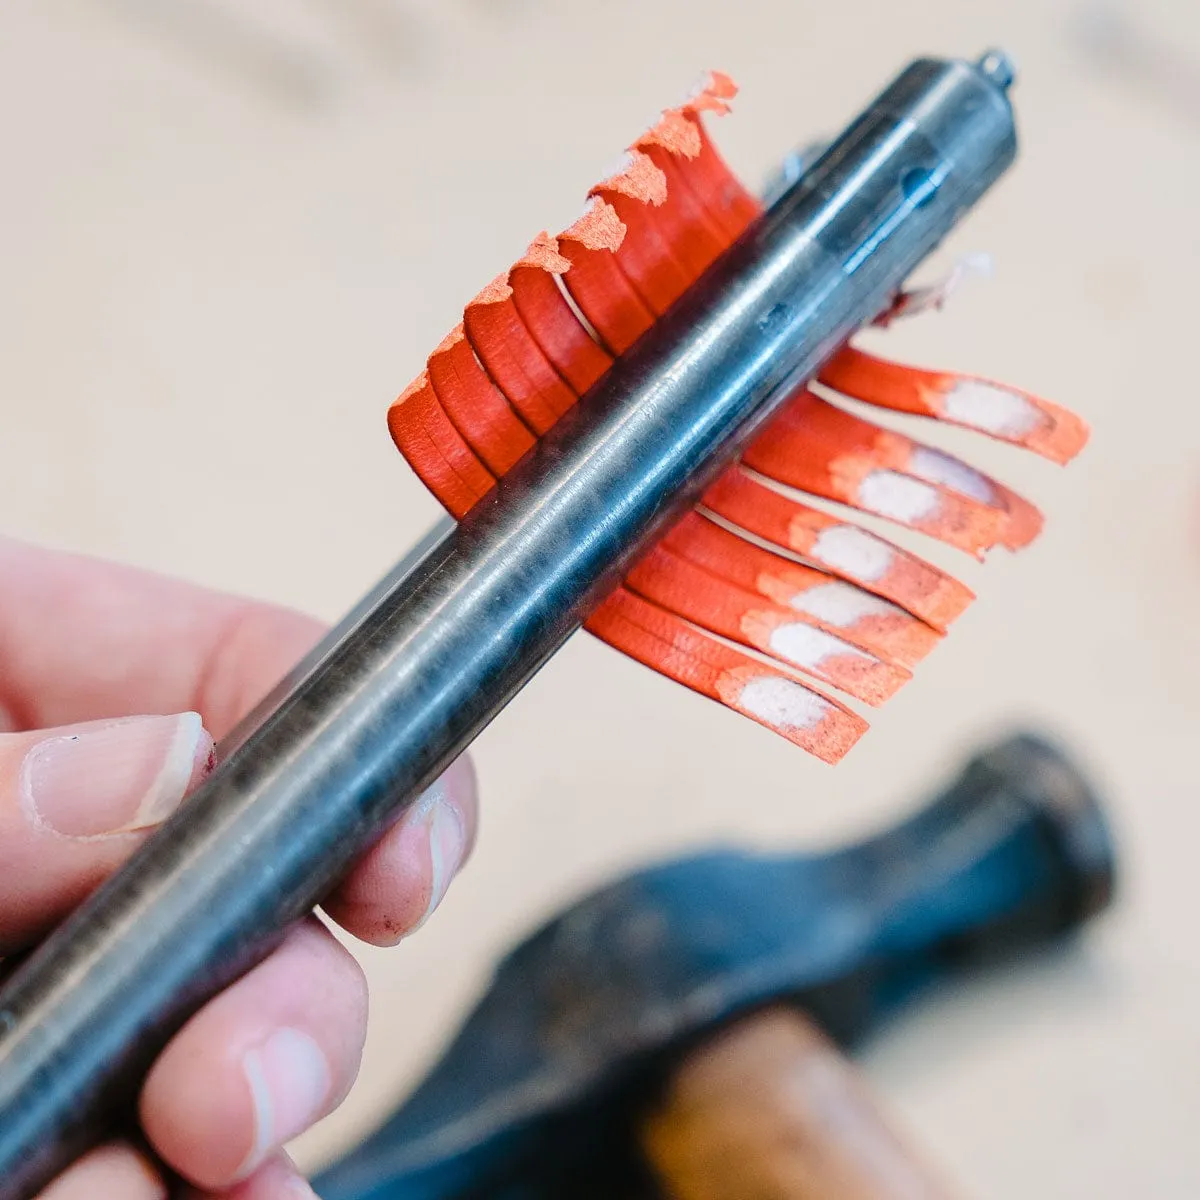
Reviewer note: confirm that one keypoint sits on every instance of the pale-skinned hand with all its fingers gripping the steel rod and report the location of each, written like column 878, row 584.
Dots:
column 83, row 643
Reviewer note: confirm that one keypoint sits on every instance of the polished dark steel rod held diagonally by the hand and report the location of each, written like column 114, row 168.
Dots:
column 406, row 683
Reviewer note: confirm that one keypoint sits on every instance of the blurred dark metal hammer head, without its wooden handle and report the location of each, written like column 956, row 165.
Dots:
column 536, row 1096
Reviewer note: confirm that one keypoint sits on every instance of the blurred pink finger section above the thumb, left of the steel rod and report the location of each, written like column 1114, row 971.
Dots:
column 153, row 645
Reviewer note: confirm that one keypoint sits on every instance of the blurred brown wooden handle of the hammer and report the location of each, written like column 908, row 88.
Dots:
column 771, row 1111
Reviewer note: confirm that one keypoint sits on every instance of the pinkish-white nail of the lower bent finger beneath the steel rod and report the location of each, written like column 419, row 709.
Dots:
column 290, row 1082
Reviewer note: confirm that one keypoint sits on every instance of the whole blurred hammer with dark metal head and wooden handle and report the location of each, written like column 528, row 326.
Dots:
column 676, row 1034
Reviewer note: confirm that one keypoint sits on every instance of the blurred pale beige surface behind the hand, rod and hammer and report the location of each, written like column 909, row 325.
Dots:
column 229, row 236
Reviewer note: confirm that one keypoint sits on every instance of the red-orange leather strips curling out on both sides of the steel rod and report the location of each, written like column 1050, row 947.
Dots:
column 759, row 586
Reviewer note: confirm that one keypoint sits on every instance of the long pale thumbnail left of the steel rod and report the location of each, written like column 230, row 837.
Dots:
column 113, row 778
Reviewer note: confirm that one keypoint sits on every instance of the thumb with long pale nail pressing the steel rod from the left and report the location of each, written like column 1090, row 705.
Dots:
column 76, row 802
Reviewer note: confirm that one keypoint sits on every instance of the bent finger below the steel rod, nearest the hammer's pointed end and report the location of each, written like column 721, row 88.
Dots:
column 261, row 1064
